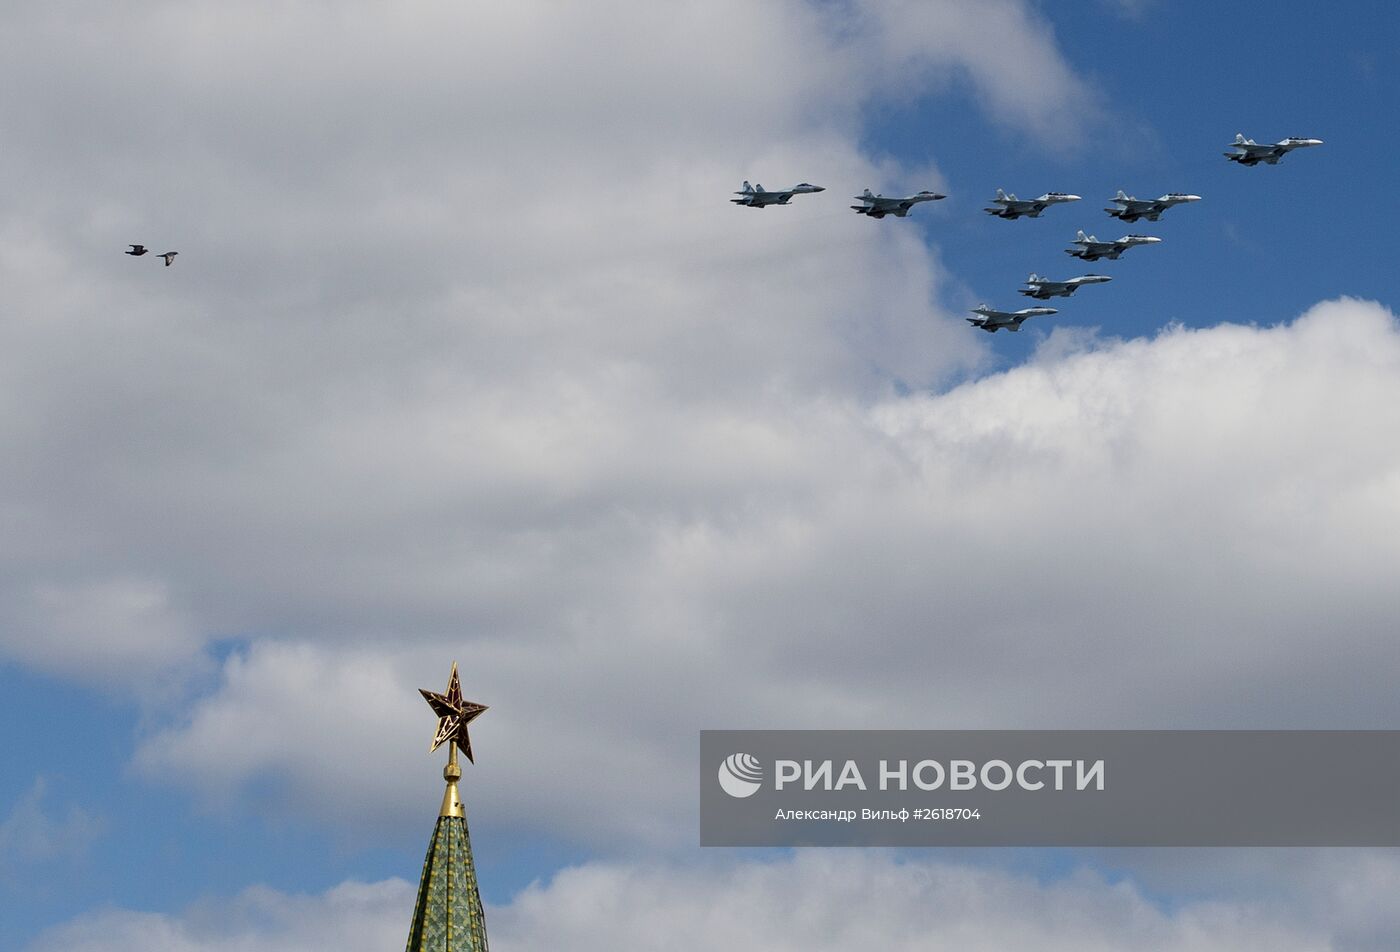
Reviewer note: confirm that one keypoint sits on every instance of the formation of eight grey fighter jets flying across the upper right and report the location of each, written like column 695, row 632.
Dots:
column 1086, row 247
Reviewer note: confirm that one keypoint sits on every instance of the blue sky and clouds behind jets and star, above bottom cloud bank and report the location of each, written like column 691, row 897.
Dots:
column 383, row 415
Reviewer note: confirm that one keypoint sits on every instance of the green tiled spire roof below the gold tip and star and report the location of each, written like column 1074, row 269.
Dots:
column 449, row 915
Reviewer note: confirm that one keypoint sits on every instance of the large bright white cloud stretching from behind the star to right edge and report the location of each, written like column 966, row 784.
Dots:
column 1189, row 531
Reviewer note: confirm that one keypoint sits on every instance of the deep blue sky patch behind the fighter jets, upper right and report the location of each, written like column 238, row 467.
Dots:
column 1177, row 82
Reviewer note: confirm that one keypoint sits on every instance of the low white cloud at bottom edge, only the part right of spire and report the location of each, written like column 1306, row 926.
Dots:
column 838, row 901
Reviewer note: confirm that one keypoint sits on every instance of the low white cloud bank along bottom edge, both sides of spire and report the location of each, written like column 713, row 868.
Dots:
column 815, row 901
